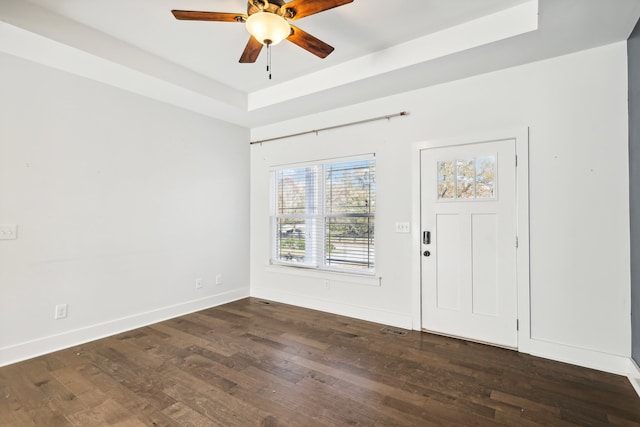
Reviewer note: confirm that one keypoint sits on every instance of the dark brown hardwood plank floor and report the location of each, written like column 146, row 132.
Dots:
column 252, row 363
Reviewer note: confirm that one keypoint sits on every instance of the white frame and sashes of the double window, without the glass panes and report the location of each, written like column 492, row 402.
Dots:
column 319, row 235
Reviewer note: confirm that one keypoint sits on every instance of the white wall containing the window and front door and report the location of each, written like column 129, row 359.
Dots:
column 576, row 109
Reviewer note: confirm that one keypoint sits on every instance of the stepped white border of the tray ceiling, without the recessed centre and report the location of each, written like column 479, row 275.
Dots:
column 532, row 30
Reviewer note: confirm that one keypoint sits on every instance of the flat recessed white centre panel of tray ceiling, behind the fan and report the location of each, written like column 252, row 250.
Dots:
column 213, row 48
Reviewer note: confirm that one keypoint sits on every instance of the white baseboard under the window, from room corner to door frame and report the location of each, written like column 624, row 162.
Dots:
column 355, row 311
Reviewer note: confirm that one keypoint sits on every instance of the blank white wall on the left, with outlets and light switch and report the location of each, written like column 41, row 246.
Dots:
column 121, row 203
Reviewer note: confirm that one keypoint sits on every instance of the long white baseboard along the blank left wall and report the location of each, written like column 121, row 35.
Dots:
column 30, row 349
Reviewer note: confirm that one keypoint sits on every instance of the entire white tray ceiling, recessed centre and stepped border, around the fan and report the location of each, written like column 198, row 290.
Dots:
column 381, row 47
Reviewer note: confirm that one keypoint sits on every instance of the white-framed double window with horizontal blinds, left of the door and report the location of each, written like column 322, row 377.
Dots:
column 322, row 215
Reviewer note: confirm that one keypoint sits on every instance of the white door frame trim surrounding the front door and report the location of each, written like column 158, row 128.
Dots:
column 521, row 137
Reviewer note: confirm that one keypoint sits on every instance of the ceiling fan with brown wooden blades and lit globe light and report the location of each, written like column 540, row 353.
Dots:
column 268, row 23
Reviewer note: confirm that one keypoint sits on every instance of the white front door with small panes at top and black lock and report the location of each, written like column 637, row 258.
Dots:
column 468, row 220
